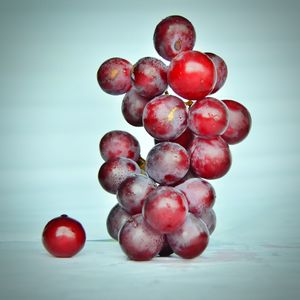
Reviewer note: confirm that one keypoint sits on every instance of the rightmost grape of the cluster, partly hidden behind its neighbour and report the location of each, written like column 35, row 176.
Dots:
column 239, row 122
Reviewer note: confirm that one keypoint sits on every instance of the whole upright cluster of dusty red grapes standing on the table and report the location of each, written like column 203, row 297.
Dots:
column 165, row 201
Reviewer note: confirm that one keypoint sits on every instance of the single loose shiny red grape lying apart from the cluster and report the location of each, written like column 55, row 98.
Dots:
column 63, row 236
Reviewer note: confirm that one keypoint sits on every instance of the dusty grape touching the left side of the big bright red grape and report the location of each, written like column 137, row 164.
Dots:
column 149, row 77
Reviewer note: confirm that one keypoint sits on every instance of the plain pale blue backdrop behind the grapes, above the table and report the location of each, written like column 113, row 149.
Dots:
column 53, row 113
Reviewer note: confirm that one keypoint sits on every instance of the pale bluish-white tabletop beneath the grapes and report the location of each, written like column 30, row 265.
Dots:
column 101, row 271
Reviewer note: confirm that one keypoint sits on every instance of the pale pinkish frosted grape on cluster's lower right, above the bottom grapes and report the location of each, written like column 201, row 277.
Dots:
column 199, row 193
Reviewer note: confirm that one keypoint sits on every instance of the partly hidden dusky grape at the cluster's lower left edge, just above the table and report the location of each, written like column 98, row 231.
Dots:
column 116, row 218
